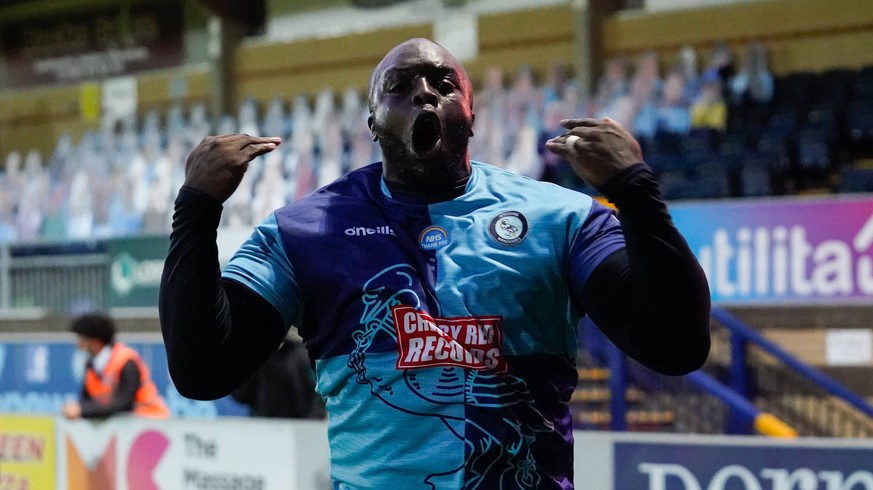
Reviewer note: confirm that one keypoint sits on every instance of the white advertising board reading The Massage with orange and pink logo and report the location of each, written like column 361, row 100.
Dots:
column 244, row 454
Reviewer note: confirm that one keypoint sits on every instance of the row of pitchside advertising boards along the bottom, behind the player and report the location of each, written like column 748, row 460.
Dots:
column 53, row 453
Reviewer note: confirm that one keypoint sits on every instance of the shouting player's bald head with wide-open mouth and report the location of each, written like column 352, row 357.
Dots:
column 421, row 113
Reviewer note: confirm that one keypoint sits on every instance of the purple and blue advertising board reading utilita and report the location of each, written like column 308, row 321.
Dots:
column 774, row 251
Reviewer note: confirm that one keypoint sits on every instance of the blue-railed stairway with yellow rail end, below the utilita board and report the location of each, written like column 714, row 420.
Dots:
column 749, row 385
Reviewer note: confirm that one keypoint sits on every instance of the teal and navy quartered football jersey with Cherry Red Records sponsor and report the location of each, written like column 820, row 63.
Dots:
column 443, row 335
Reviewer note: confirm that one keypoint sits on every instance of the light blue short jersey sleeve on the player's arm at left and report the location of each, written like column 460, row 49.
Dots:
column 262, row 265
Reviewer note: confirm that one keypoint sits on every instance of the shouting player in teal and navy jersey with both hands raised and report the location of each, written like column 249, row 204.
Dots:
column 438, row 297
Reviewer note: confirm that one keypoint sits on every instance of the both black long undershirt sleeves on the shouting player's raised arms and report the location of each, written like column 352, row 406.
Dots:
column 651, row 298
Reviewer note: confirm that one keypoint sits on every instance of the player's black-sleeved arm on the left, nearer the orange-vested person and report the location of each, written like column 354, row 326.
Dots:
column 213, row 328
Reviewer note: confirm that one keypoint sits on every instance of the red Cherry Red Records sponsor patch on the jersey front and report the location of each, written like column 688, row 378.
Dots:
column 472, row 342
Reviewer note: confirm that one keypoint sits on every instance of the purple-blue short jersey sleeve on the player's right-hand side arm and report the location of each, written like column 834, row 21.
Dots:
column 599, row 236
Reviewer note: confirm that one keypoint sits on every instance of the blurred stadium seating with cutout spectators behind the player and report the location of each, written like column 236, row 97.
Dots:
column 116, row 182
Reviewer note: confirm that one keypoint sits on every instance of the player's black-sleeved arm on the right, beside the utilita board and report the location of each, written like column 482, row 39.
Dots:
column 664, row 300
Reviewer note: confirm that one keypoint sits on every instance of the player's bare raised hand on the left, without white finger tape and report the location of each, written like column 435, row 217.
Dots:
column 217, row 165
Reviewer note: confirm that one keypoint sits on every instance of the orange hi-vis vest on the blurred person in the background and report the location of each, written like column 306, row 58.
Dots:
column 148, row 403
